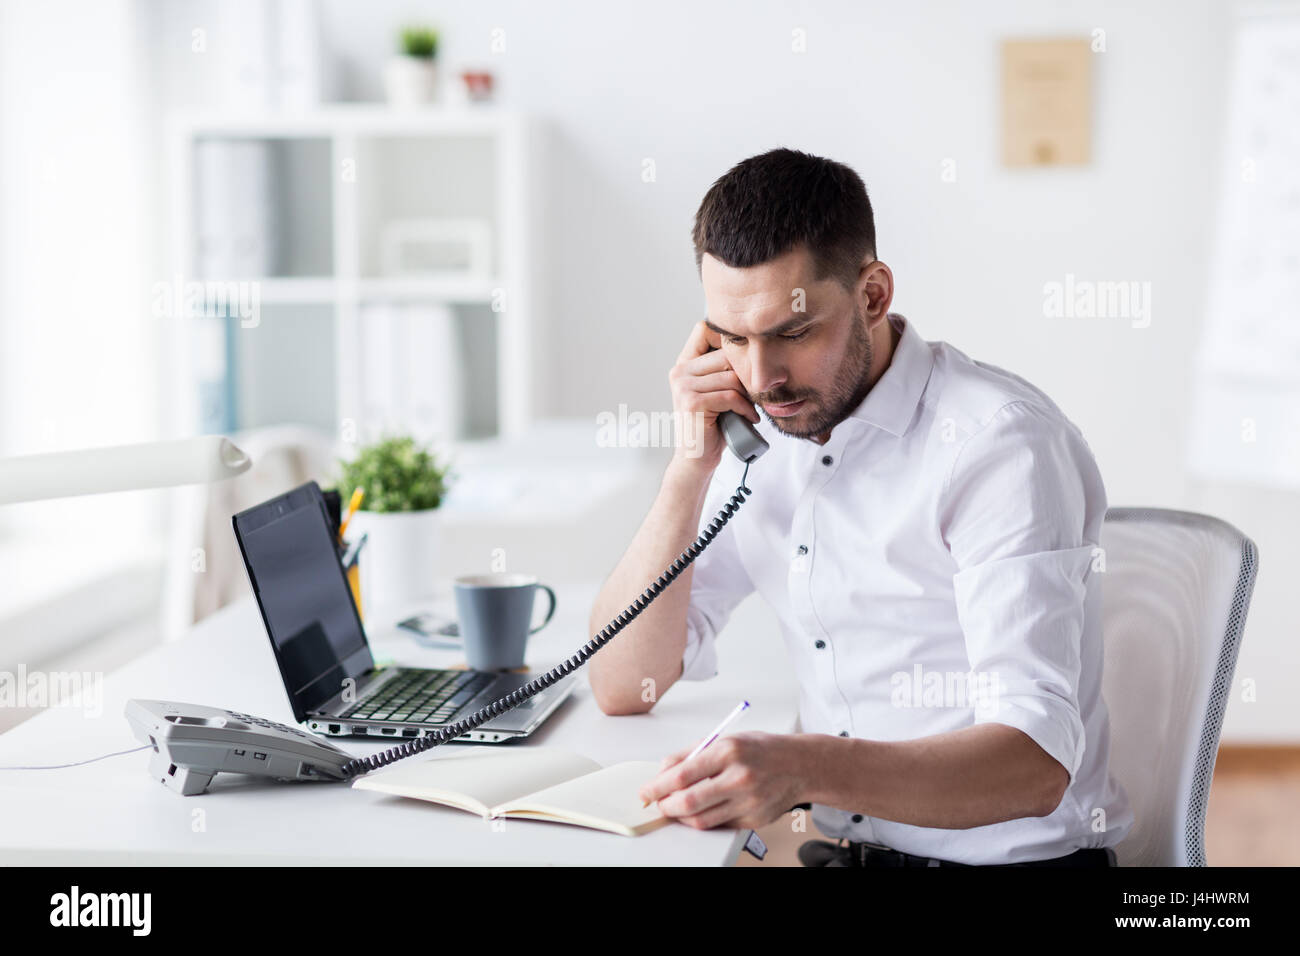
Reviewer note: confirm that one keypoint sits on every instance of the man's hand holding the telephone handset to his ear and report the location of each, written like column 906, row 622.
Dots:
column 704, row 386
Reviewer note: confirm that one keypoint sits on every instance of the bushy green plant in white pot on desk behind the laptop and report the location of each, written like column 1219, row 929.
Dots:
column 404, row 485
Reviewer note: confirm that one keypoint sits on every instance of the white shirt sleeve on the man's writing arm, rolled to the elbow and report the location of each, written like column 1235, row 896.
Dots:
column 1021, row 508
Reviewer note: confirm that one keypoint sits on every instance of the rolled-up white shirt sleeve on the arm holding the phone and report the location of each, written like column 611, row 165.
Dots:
column 720, row 583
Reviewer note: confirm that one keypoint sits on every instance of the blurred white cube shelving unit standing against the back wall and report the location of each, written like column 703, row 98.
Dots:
column 343, row 174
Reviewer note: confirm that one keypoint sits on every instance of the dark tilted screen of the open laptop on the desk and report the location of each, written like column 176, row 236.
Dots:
column 306, row 603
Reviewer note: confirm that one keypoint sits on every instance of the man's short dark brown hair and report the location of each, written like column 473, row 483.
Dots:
column 765, row 206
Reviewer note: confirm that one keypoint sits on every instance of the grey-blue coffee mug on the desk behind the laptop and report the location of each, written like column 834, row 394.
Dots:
column 496, row 615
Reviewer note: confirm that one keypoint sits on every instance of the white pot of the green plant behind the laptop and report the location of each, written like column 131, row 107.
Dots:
column 398, row 560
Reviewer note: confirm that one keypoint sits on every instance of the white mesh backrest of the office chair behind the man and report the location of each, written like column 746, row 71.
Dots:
column 1176, row 592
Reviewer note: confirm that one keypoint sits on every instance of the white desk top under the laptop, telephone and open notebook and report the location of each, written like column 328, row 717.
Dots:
column 114, row 812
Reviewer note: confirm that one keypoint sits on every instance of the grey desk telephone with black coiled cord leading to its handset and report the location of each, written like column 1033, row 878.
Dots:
column 192, row 743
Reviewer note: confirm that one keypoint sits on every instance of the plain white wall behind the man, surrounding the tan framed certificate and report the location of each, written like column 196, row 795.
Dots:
column 895, row 90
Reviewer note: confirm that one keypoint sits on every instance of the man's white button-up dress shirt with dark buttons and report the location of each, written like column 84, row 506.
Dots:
column 933, row 566
